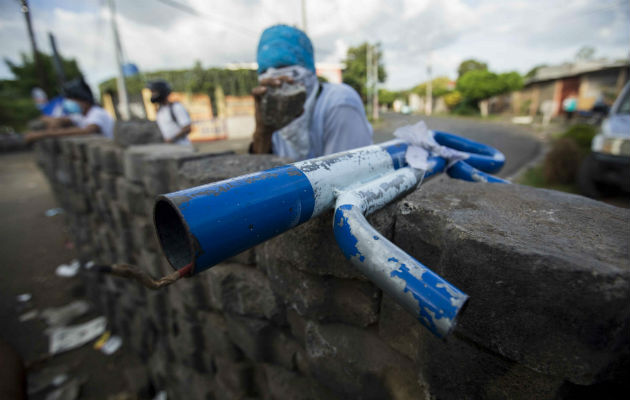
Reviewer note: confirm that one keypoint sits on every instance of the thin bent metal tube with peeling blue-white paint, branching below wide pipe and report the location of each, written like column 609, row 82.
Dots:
column 431, row 299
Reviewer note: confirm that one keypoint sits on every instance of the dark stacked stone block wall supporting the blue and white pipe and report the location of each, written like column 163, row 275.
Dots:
column 547, row 273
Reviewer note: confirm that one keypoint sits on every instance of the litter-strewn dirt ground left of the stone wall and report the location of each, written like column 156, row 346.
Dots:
column 31, row 247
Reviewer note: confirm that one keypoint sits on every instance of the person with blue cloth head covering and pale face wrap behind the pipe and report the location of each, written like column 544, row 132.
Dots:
column 333, row 117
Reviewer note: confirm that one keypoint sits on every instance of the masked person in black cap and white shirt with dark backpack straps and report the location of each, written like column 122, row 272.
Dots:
column 172, row 118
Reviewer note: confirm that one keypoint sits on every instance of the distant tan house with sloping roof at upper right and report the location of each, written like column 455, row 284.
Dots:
column 588, row 80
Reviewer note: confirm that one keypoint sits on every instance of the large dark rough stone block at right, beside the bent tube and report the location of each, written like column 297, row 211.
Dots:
column 549, row 283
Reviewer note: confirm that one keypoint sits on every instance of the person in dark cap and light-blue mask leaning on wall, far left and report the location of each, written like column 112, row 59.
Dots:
column 86, row 117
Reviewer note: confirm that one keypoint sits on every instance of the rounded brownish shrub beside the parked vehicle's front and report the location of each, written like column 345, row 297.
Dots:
column 562, row 162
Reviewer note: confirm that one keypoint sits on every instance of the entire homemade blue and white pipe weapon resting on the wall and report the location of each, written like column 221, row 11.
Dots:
column 202, row 226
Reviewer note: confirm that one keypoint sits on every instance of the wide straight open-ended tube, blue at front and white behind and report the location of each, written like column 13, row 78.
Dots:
column 205, row 225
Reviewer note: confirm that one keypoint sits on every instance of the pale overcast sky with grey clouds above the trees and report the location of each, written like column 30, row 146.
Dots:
column 508, row 35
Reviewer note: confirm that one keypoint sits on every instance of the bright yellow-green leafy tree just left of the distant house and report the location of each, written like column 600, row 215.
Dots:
column 480, row 84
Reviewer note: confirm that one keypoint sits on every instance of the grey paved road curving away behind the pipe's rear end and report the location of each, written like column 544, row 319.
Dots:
column 517, row 143
